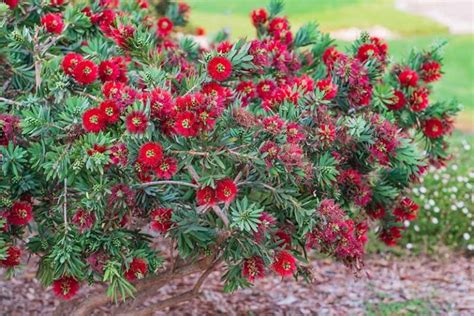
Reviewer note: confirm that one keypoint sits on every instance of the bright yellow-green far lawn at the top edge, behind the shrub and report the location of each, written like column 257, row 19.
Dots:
column 330, row 14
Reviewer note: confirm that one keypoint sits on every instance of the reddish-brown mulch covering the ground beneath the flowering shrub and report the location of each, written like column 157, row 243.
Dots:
column 445, row 283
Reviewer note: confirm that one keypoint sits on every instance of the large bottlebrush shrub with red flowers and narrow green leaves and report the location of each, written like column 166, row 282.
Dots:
column 119, row 133
